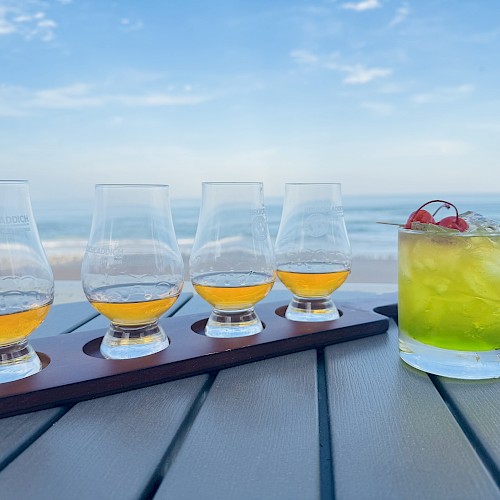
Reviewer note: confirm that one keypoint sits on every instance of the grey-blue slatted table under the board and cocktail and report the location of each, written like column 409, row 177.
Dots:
column 349, row 421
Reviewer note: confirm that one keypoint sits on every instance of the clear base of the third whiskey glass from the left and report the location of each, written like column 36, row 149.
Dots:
column 231, row 324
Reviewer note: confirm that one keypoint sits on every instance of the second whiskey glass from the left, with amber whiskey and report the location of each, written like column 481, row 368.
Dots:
column 132, row 270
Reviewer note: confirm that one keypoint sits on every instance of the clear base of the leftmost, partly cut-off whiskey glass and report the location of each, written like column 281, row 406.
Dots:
column 18, row 361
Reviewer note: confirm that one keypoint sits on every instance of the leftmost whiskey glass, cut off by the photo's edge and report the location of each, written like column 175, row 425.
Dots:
column 26, row 282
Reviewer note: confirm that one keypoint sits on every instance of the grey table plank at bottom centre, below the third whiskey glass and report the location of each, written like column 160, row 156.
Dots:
column 256, row 436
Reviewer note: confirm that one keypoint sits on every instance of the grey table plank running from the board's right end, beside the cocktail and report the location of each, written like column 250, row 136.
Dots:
column 392, row 435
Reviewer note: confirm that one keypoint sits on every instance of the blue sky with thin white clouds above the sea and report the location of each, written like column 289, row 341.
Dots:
column 383, row 96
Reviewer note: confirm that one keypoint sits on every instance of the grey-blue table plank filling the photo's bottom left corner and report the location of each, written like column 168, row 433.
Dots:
column 105, row 448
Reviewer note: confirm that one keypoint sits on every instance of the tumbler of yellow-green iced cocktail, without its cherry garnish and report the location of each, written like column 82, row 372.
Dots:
column 449, row 302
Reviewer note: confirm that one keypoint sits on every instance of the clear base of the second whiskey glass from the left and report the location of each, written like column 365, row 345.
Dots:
column 133, row 342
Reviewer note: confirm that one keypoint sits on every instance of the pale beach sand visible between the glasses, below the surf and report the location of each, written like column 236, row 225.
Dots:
column 366, row 274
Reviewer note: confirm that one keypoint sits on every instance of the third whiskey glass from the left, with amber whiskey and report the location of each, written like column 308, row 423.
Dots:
column 232, row 262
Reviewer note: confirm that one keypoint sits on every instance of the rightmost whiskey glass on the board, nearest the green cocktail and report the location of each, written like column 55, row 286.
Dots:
column 313, row 252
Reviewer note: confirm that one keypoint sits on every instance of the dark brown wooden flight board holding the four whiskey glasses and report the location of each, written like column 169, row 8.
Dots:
column 74, row 369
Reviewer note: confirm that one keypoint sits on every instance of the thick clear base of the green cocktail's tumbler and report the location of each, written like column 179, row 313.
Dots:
column 468, row 365
